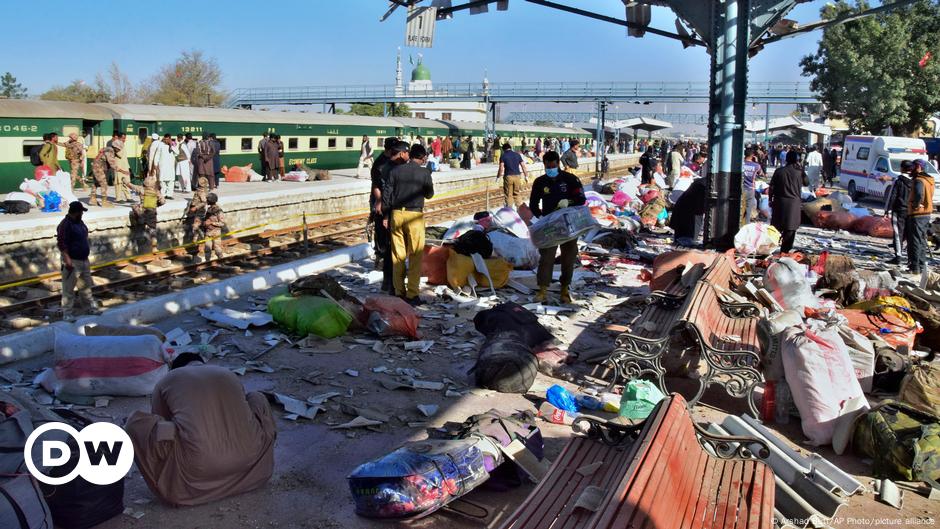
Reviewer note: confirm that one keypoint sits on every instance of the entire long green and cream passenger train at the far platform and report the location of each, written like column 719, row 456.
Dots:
column 322, row 141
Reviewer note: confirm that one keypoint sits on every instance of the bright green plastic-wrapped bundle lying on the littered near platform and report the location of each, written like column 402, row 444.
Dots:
column 305, row 315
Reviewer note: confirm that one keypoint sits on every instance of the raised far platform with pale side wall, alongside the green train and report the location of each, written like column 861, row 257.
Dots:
column 28, row 245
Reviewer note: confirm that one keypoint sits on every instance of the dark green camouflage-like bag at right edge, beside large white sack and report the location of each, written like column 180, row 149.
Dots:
column 903, row 442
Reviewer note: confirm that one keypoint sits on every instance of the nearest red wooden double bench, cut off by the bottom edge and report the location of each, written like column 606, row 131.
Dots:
column 656, row 475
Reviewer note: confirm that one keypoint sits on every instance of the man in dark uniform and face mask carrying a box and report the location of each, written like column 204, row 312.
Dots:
column 554, row 190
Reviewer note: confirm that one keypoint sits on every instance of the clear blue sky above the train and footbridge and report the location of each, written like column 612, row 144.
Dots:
column 330, row 42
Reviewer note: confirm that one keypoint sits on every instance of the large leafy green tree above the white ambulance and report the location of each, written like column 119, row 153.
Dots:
column 868, row 70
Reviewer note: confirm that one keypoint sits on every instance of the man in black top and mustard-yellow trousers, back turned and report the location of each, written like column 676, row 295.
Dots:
column 403, row 196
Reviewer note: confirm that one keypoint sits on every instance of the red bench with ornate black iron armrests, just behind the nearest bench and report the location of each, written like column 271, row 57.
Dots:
column 726, row 335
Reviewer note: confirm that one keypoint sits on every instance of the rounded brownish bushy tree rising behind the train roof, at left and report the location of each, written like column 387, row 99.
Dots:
column 192, row 80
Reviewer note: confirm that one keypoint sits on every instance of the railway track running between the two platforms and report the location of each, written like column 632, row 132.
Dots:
column 169, row 270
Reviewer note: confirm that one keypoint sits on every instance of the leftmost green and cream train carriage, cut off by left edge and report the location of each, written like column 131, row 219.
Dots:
column 22, row 124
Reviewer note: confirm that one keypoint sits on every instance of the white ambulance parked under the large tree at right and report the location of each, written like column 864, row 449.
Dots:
column 870, row 164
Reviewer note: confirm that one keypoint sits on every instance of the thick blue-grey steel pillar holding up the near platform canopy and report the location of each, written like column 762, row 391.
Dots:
column 727, row 103
